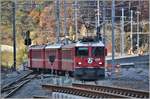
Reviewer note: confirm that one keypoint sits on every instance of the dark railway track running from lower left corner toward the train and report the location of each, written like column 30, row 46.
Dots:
column 10, row 89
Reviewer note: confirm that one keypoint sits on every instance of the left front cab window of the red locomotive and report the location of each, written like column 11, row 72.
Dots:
column 81, row 51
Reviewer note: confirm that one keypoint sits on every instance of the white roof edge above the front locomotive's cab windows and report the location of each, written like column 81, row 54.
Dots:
column 89, row 44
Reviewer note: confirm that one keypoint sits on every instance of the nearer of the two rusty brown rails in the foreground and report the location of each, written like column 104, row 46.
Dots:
column 81, row 92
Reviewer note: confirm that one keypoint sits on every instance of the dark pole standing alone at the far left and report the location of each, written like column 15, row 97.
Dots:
column 14, row 34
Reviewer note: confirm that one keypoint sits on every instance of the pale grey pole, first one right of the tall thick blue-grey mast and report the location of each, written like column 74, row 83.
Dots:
column 122, row 32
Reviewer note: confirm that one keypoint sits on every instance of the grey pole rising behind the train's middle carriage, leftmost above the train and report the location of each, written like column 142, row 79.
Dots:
column 58, row 21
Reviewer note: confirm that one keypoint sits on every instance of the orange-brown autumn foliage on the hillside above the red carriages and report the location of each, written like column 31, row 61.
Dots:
column 47, row 22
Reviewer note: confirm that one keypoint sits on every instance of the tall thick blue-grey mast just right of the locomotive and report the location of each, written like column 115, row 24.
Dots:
column 113, row 35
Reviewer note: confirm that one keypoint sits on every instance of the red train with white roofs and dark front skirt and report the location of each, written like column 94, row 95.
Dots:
column 84, row 60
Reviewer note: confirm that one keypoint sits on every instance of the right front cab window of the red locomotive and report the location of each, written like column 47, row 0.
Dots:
column 98, row 51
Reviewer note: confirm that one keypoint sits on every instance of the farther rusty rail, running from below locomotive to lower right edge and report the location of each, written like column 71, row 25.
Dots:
column 115, row 90
